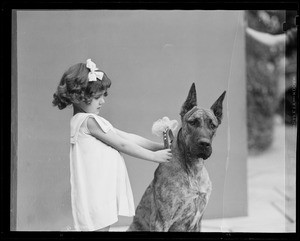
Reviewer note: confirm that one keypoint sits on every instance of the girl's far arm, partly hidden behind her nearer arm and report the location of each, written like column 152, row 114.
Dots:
column 141, row 141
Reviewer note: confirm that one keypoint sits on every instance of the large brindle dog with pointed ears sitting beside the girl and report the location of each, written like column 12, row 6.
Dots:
column 176, row 198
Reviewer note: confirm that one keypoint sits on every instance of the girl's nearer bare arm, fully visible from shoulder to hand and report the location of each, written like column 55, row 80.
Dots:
column 126, row 146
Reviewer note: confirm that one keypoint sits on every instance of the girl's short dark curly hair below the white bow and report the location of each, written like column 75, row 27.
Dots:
column 74, row 87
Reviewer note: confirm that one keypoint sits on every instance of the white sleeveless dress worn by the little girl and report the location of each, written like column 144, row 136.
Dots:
column 100, row 187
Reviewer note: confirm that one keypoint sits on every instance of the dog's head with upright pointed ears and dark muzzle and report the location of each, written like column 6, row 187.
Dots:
column 199, row 125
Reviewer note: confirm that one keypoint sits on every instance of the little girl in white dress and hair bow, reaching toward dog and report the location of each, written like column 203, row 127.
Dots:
column 100, row 187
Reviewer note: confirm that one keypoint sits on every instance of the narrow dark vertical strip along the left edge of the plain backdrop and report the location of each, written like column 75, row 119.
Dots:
column 14, row 124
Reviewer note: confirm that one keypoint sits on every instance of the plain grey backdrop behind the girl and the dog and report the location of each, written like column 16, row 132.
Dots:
column 152, row 58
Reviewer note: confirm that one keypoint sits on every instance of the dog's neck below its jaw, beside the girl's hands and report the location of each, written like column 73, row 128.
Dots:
column 191, row 164
